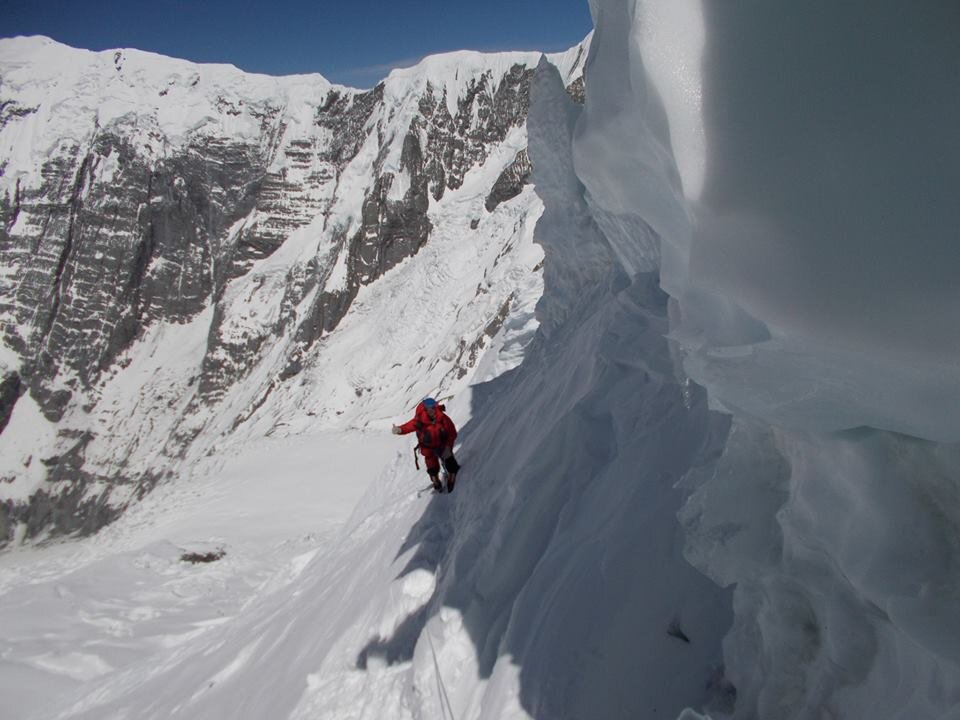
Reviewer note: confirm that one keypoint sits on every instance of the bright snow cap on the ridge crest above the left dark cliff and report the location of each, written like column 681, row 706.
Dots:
column 67, row 86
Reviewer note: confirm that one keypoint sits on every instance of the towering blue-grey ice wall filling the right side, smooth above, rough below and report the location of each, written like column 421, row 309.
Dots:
column 799, row 164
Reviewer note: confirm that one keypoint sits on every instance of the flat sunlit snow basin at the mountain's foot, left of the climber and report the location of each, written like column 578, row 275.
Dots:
column 116, row 608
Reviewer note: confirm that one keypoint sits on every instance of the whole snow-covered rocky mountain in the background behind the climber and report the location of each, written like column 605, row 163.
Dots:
column 181, row 243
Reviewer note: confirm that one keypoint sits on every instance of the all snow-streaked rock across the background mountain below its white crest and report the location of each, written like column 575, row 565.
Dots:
column 129, row 229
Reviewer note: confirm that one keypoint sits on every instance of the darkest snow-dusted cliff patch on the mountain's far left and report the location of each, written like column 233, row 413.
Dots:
column 108, row 258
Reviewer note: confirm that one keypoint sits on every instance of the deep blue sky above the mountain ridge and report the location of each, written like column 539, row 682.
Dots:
column 354, row 42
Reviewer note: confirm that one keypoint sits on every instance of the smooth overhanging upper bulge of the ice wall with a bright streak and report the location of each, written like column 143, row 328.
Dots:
column 810, row 247
